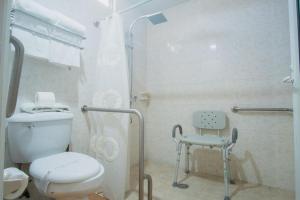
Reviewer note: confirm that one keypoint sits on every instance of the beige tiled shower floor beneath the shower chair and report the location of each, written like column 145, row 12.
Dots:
column 204, row 188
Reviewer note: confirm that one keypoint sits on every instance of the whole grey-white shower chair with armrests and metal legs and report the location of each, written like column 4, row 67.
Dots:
column 206, row 120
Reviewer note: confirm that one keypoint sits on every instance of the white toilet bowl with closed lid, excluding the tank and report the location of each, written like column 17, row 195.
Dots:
column 67, row 175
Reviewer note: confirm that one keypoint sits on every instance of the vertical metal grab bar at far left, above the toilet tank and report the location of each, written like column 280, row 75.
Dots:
column 15, row 76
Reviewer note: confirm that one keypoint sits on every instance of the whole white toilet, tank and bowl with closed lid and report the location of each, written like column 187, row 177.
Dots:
column 42, row 139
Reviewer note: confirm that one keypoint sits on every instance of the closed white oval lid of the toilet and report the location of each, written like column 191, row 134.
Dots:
column 67, row 167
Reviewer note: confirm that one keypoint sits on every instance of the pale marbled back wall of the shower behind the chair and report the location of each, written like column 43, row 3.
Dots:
column 212, row 55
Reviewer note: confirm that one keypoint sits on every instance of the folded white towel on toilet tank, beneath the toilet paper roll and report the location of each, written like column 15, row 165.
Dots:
column 33, row 108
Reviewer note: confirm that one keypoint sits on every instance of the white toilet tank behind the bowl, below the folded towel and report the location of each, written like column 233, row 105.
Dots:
column 32, row 136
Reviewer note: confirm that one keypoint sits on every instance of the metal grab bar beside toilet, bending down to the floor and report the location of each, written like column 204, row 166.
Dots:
column 142, row 175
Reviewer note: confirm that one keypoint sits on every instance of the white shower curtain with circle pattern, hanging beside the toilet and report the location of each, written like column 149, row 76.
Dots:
column 109, row 142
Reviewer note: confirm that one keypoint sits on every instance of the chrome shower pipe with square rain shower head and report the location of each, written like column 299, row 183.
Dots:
column 155, row 19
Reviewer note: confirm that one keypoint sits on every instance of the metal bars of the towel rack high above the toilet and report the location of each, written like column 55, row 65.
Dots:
column 14, row 24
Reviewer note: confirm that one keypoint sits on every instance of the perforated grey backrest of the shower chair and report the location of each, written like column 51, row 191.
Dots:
column 212, row 120
